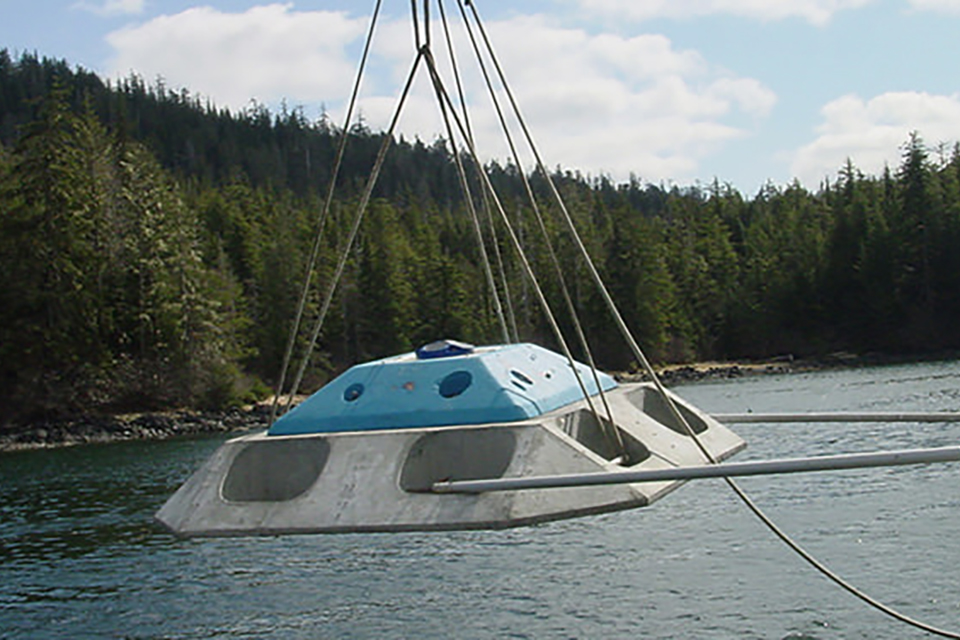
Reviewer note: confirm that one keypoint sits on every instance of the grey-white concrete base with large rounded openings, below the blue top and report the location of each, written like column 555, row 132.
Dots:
column 379, row 480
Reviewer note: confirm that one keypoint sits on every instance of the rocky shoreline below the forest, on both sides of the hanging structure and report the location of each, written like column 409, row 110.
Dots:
column 164, row 425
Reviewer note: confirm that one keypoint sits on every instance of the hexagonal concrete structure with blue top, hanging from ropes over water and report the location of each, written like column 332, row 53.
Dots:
column 363, row 453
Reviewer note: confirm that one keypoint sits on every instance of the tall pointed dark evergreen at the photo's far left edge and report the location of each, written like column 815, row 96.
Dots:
column 47, row 255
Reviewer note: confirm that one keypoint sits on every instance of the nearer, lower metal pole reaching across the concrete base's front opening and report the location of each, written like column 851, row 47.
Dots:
column 759, row 467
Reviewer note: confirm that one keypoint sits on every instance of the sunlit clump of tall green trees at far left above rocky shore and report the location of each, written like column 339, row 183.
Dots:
column 106, row 301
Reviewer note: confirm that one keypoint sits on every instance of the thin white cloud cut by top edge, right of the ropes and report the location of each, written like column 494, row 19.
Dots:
column 817, row 12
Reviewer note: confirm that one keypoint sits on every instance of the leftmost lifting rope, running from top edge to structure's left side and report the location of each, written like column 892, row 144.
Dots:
column 321, row 222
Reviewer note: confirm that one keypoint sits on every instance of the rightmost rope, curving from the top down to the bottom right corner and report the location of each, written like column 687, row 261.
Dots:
column 638, row 353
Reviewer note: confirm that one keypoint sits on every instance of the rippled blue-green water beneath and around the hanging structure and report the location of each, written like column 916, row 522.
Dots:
column 81, row 557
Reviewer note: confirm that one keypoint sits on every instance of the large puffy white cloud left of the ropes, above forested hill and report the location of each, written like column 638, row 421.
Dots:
column 265, row 53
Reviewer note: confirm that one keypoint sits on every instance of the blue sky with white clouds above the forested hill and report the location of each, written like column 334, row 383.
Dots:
column 673, row 92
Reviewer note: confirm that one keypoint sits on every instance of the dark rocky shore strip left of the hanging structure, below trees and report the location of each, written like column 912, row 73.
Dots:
column 146, row 426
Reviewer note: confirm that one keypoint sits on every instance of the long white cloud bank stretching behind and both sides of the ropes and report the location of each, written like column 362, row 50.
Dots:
column 598, row 103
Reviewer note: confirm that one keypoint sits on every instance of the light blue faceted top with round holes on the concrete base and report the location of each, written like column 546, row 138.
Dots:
column 443, row 383
